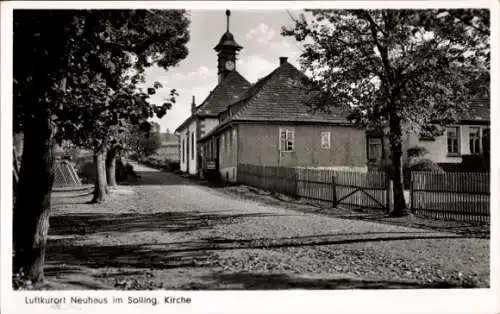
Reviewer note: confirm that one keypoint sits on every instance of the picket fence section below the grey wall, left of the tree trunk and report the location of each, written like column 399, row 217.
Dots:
column 354, row 188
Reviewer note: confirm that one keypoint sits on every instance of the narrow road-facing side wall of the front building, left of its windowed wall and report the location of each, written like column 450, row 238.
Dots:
column 228, row 150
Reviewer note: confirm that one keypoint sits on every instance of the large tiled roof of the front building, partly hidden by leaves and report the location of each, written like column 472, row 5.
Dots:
column 280, row 96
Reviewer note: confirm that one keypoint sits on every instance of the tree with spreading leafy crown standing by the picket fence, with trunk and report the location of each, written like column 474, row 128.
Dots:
column 399, row 71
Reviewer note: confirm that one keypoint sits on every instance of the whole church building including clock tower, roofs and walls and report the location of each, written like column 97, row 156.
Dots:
column 268, row 123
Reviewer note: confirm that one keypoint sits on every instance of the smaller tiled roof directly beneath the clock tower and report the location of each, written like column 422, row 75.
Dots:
column 227, row 92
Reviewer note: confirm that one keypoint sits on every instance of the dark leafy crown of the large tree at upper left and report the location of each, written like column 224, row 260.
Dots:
column 84, row 66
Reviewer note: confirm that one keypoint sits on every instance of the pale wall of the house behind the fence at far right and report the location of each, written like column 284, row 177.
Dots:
column 438, row 147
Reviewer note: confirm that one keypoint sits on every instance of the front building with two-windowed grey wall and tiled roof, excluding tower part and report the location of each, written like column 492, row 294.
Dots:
column 273, row 126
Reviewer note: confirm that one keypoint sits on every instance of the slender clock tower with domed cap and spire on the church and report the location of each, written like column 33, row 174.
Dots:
column 227, row 50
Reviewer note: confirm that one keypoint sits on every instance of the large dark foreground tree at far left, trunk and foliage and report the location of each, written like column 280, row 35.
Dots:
column 65, row 60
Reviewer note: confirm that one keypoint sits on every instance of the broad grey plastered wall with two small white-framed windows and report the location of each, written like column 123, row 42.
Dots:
column 258, row 144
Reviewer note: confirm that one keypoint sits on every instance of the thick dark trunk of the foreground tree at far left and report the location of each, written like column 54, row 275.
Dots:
column 32, row 208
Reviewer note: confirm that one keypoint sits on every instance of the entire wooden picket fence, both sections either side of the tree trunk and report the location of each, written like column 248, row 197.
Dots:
column 446, row 196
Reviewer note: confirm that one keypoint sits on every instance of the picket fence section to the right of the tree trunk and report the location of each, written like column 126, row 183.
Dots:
column 451, row 196
